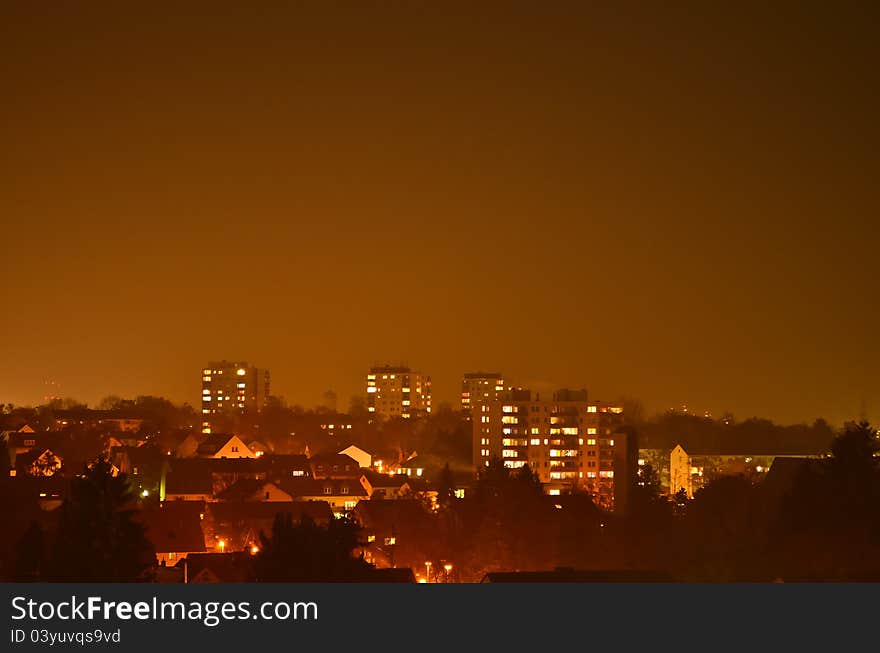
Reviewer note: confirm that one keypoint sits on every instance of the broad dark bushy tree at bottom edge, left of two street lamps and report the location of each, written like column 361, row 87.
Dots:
column 306, row 552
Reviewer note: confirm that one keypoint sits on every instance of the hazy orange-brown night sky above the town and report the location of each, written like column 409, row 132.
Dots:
column 677, row 204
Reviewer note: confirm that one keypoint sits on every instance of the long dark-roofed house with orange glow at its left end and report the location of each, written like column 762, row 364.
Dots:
column 238, row 524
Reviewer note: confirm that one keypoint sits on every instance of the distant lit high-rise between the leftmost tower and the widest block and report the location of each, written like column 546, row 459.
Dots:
column 398, row 392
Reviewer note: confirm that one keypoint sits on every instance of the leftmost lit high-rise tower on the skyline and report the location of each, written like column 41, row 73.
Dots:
column 232, row 387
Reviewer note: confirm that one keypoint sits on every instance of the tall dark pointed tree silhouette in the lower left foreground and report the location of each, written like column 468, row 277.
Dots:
column 99, row 539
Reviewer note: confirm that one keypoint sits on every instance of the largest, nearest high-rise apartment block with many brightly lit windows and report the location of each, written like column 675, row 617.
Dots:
column 571, row 443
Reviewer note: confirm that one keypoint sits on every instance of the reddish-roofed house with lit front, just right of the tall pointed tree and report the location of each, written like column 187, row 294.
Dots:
column 175, row 530
